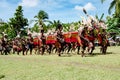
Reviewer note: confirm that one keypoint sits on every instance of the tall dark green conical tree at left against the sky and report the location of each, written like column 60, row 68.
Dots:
column 18, row 22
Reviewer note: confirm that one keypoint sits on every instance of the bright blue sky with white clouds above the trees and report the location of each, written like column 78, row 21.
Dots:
column 64, row 10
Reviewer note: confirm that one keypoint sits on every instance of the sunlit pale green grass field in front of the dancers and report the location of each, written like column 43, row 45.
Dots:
column 52, row 67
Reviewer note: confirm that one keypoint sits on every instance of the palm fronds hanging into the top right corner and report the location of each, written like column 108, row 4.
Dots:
column 114, row 4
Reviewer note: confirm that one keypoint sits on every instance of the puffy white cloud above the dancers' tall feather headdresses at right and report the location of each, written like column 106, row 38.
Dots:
column 89, row 6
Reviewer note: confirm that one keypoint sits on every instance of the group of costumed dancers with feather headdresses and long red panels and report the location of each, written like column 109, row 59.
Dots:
column 85, row 38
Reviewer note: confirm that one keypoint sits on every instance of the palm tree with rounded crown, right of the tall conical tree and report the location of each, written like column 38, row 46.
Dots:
column 41, row 17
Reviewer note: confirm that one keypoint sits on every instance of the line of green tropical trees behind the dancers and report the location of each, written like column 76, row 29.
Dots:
column 18, row 23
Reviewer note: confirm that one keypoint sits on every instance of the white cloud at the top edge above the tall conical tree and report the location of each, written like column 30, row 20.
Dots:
column 29, row 3
